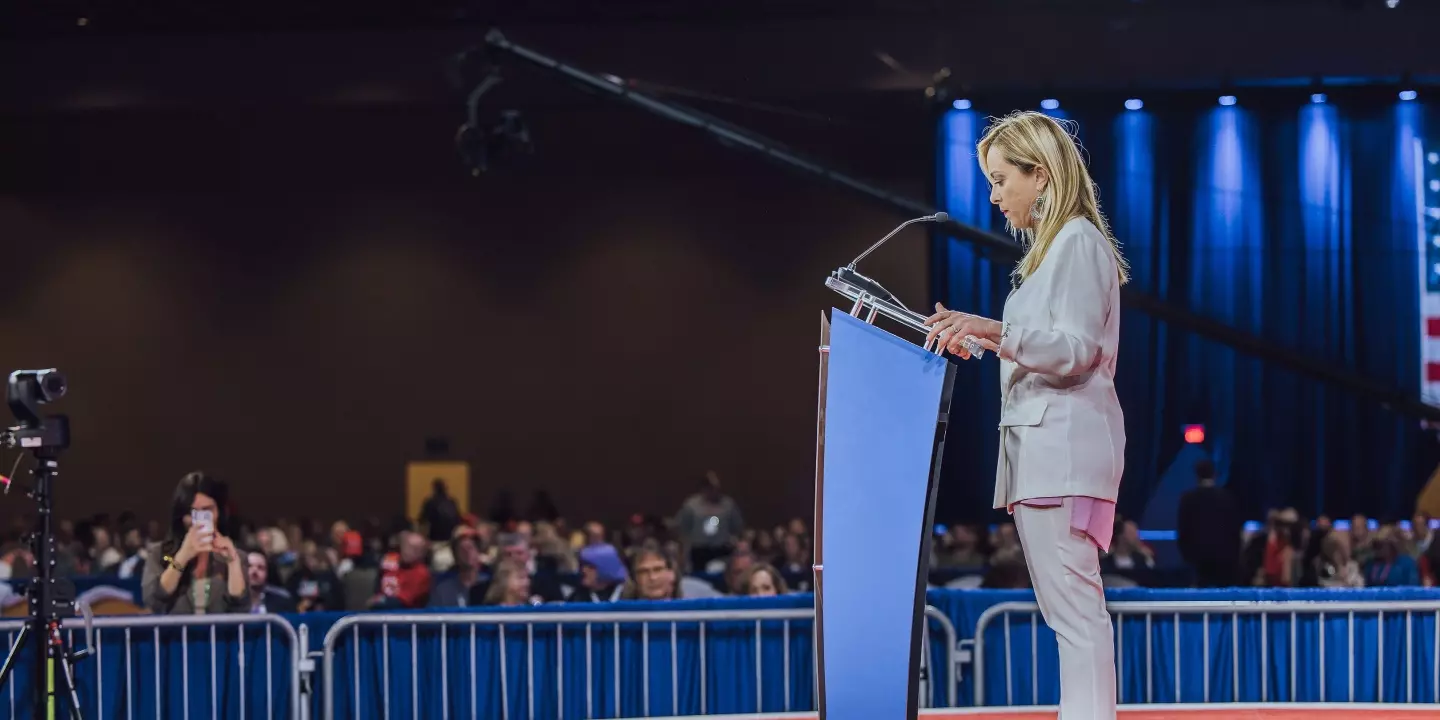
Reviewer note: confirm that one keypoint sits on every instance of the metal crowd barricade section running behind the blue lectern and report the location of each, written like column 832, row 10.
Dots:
column 466, row 626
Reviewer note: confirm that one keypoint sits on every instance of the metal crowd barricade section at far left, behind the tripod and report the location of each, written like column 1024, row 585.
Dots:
column 133, row 670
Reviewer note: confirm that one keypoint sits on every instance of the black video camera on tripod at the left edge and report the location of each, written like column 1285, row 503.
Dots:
column 53, row 600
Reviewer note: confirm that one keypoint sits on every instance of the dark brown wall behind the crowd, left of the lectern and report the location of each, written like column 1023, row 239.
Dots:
column 296, row 297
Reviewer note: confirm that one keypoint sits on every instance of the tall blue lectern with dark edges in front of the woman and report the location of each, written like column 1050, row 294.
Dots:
column 883, row 413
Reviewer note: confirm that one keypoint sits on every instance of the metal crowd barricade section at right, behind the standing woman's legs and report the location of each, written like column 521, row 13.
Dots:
column 1271, row 657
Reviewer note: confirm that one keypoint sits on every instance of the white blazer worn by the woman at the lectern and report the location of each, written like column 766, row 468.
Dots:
column 1062, row 428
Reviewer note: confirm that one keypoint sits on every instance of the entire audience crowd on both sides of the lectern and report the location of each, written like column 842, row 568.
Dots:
column 450, row 559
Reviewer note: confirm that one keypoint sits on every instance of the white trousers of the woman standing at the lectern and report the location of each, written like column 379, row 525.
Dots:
column 1065, row 570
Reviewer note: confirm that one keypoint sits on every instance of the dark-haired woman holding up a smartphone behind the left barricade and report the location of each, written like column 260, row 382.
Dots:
column 197, row 571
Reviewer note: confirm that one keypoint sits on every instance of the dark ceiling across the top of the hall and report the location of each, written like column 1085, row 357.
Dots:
column 68, row 55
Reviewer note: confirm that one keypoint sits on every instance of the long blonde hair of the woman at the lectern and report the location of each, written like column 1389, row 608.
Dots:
column 1032, row 140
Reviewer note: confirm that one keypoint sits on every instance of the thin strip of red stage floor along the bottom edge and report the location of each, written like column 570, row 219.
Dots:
column 1215, row 712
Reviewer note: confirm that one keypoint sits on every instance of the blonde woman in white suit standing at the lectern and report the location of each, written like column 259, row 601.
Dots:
column 1062, row 430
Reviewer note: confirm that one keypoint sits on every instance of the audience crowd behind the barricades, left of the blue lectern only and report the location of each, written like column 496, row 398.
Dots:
column 441, row 559
